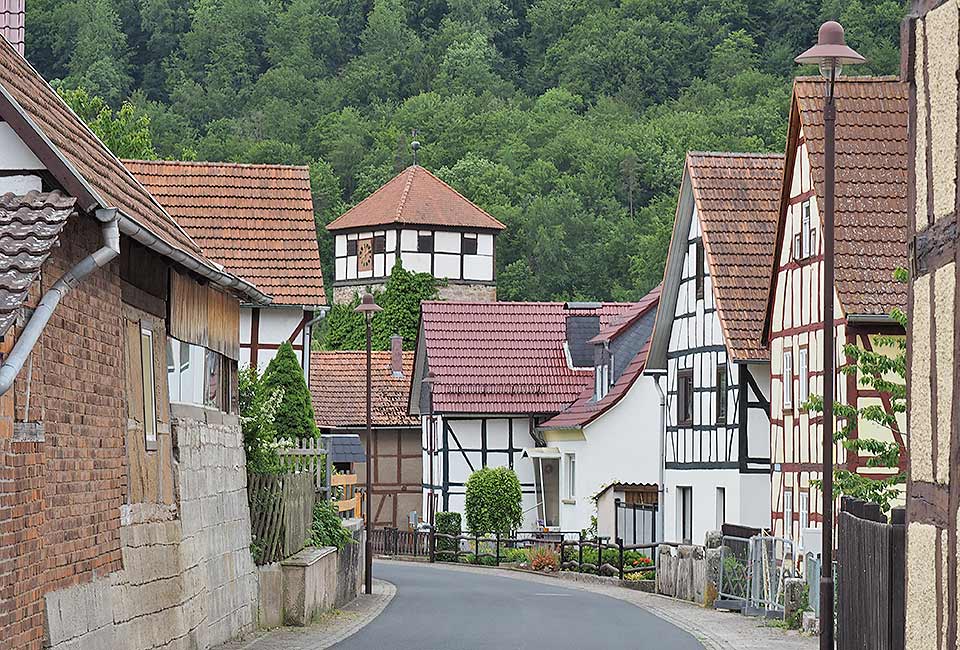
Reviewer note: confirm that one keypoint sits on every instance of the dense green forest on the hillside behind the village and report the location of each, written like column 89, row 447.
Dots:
column 566, row 119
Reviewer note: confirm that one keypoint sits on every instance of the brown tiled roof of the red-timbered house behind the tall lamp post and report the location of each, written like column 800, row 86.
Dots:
column 871, row 185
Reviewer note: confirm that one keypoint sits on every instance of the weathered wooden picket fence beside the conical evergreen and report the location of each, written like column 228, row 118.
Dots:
column 281, row 513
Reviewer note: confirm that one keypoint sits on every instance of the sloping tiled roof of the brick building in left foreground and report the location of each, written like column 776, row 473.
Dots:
column 89, row 171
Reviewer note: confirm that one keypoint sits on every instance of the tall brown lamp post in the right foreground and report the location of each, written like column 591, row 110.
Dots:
column 831, row 54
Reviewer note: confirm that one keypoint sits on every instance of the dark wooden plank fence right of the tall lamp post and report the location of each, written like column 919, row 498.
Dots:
column 870, row 577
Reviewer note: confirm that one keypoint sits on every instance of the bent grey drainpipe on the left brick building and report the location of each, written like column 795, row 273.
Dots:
column 110, row 228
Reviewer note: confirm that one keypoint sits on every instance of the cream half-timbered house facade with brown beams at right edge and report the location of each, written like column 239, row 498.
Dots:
column 930, row 45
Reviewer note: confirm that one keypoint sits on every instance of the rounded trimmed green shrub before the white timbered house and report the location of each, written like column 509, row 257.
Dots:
column 493, row 501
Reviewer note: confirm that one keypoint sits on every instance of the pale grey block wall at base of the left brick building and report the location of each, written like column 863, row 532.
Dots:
column 188, row 580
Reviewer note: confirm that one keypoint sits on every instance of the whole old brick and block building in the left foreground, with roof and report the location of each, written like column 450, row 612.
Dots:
column 106, row 542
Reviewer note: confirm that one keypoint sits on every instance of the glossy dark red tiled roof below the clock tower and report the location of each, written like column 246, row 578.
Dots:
column 504, row 357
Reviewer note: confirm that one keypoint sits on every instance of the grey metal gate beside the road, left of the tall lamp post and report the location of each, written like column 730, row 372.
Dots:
column 753, row 572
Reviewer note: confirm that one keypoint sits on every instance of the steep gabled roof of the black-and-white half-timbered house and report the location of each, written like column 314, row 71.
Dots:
column 735, row 196
